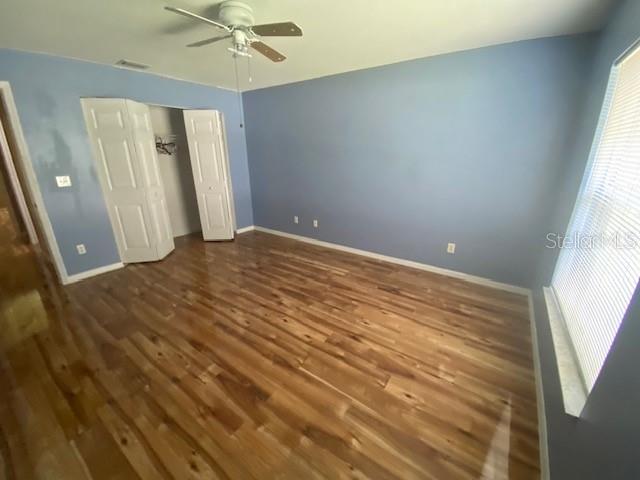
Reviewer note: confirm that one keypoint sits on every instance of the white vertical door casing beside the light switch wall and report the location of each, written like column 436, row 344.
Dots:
column 33, row 188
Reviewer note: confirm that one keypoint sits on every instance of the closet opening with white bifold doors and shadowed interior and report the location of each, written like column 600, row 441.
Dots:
column 164, row 173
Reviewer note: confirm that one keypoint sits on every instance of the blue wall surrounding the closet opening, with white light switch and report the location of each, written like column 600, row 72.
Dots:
column 47, row 91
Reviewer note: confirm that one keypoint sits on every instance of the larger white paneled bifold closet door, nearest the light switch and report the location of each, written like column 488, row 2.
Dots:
column 126, row 161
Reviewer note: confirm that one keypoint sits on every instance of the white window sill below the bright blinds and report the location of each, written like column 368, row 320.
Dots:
column 574, row 394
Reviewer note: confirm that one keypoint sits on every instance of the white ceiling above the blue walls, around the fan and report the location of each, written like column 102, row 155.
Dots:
column 339, row 35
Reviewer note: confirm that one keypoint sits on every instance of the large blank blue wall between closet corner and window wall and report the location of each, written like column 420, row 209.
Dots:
column 404, row 158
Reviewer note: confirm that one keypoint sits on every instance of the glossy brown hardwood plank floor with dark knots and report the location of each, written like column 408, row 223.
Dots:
column 263, row 358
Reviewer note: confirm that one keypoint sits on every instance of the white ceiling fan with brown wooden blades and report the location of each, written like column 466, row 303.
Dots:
column 236, row 20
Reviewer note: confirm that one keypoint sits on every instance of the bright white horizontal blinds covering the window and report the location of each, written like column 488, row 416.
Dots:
column 599, row 265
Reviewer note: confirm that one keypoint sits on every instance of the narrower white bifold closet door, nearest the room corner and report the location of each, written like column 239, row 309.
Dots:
column 210, row 164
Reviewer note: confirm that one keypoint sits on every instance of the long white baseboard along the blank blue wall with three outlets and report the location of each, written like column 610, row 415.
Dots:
column 401, row 261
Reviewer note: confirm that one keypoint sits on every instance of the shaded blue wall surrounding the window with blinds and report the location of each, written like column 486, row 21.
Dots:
column 603, row 443
